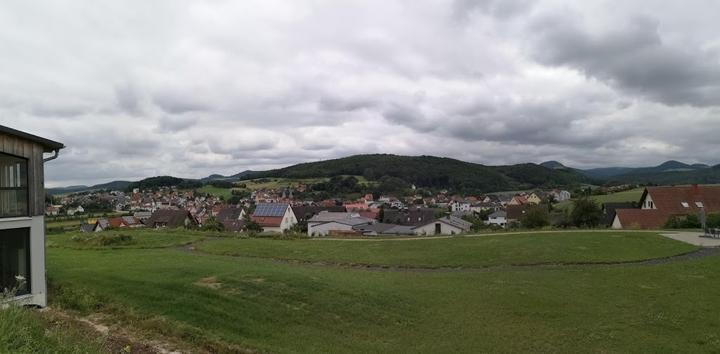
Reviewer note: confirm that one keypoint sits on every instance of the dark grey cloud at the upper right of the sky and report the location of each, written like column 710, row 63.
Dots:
column 634, row 58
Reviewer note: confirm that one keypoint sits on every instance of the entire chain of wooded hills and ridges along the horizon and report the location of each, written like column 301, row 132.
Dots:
column 447, row 173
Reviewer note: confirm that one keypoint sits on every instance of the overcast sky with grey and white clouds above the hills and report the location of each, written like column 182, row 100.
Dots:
column 191, row 88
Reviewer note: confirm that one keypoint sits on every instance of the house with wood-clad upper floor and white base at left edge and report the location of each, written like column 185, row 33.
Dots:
column 22, row 214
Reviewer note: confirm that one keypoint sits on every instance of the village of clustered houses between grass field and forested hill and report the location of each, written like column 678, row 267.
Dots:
column 278, row 211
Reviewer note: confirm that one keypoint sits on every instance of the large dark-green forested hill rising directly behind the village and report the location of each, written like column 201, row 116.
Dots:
column 435, row 172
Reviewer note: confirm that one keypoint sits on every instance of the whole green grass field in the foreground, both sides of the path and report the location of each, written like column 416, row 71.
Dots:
column 253, row 301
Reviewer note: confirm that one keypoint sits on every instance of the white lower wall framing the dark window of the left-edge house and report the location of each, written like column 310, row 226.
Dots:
column 38, row 288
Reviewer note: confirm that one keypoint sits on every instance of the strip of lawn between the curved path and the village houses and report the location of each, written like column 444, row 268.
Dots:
column 562, row 247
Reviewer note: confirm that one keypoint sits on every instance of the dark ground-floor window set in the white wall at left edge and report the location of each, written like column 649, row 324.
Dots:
column 15, row 260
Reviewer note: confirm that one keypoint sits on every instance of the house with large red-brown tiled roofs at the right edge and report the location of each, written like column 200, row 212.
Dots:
column 658, row 204
